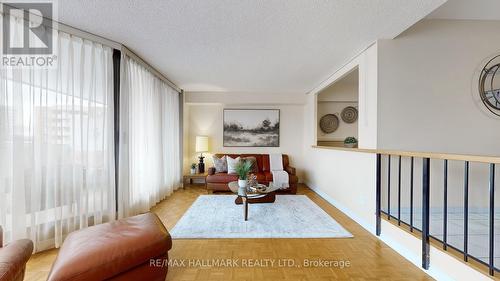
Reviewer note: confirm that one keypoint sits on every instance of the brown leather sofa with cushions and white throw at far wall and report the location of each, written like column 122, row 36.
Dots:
column 219, row 181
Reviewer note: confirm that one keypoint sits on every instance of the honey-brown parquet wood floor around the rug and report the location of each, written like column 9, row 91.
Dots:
column 369, row 258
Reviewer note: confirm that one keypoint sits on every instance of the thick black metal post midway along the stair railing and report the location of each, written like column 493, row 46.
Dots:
column 425, row 211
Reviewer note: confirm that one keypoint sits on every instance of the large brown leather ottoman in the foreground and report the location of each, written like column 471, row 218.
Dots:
column 134, row 248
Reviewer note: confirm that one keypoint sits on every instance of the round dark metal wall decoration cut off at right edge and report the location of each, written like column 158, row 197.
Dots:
column 489, row 85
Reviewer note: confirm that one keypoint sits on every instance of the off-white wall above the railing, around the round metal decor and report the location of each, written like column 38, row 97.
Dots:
column 428, row 92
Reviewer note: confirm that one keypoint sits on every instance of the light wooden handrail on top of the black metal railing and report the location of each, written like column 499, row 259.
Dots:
column 418, row 154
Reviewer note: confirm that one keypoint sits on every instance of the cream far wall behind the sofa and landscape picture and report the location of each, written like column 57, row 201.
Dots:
column 206, row 113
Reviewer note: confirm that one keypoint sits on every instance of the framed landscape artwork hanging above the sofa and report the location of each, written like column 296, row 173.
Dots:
column 251, row 127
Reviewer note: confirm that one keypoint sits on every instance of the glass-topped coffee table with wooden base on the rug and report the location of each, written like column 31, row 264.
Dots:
column 247, row 196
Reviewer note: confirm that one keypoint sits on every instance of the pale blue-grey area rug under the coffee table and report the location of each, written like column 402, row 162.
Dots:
column 291, row 216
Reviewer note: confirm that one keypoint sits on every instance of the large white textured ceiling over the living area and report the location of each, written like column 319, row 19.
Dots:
column 286, row 46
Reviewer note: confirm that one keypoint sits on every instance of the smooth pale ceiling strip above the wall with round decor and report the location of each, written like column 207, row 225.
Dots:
column 468, row 10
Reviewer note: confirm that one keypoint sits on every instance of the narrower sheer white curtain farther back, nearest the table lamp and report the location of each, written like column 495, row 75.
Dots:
column 149, row 168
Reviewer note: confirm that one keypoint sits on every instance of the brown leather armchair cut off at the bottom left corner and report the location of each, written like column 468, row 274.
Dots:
column 13, row 258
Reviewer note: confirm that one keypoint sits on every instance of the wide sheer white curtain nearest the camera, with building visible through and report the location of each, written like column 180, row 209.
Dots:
column 56, row 145
